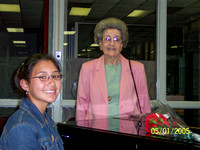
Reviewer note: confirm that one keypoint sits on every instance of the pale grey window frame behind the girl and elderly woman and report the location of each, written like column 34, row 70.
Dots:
column 56, row 24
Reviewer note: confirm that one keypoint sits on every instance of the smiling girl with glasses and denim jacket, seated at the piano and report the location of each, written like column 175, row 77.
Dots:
column 31, row 128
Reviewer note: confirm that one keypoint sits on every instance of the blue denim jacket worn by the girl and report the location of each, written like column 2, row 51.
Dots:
column 27, row 129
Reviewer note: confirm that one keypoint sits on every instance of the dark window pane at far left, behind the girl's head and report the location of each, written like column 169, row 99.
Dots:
column 21, row 35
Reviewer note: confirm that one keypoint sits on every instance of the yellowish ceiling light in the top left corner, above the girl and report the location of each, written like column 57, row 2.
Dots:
column 9, row 8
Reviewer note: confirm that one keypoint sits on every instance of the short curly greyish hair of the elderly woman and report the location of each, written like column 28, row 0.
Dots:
column 111, row 23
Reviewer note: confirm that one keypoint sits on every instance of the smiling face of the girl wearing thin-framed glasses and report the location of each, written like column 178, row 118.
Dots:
column 41, row 93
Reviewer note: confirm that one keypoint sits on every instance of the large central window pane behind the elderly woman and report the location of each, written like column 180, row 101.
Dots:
column 142, row 35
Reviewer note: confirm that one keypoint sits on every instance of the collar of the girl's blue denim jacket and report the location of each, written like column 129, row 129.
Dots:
column 30, row 108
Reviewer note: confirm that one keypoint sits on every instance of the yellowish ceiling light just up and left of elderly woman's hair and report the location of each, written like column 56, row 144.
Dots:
column 79, row 11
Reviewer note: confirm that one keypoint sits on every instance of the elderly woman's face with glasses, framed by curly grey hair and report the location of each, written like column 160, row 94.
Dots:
column 111, row 44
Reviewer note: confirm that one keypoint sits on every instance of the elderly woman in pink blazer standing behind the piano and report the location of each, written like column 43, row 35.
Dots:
column 106, row 86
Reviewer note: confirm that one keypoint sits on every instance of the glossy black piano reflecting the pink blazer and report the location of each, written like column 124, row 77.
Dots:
column 118, row 134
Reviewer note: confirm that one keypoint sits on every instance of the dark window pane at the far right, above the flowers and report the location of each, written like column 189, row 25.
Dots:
column 183, row 50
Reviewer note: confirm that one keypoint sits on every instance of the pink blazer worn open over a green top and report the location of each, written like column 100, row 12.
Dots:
column 92, row 97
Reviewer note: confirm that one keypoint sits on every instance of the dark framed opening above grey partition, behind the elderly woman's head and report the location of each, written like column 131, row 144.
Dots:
column 141, row 45
